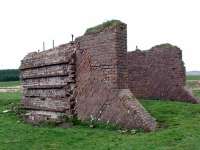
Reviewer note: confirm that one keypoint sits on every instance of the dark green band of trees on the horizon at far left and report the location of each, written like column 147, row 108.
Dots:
column 9, row 75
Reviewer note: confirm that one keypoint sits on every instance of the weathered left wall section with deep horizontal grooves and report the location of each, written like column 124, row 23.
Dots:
column 48, row 81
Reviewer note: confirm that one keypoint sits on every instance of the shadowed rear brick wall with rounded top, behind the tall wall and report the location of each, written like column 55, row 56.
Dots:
column 158, row 73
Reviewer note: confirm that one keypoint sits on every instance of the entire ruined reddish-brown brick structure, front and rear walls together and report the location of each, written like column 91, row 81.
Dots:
column 94, row 78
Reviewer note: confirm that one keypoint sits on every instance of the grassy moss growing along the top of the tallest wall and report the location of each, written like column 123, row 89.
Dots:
column 101, row 27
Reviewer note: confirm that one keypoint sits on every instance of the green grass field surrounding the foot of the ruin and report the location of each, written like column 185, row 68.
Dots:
column 179, row 130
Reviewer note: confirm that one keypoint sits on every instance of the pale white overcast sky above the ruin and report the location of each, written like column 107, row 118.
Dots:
column 25, row 24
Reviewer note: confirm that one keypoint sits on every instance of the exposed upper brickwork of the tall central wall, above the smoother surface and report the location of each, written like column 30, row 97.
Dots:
column 108, row 54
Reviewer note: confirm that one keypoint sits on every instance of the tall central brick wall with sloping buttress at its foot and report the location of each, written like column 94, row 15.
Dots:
column 102, row 92
